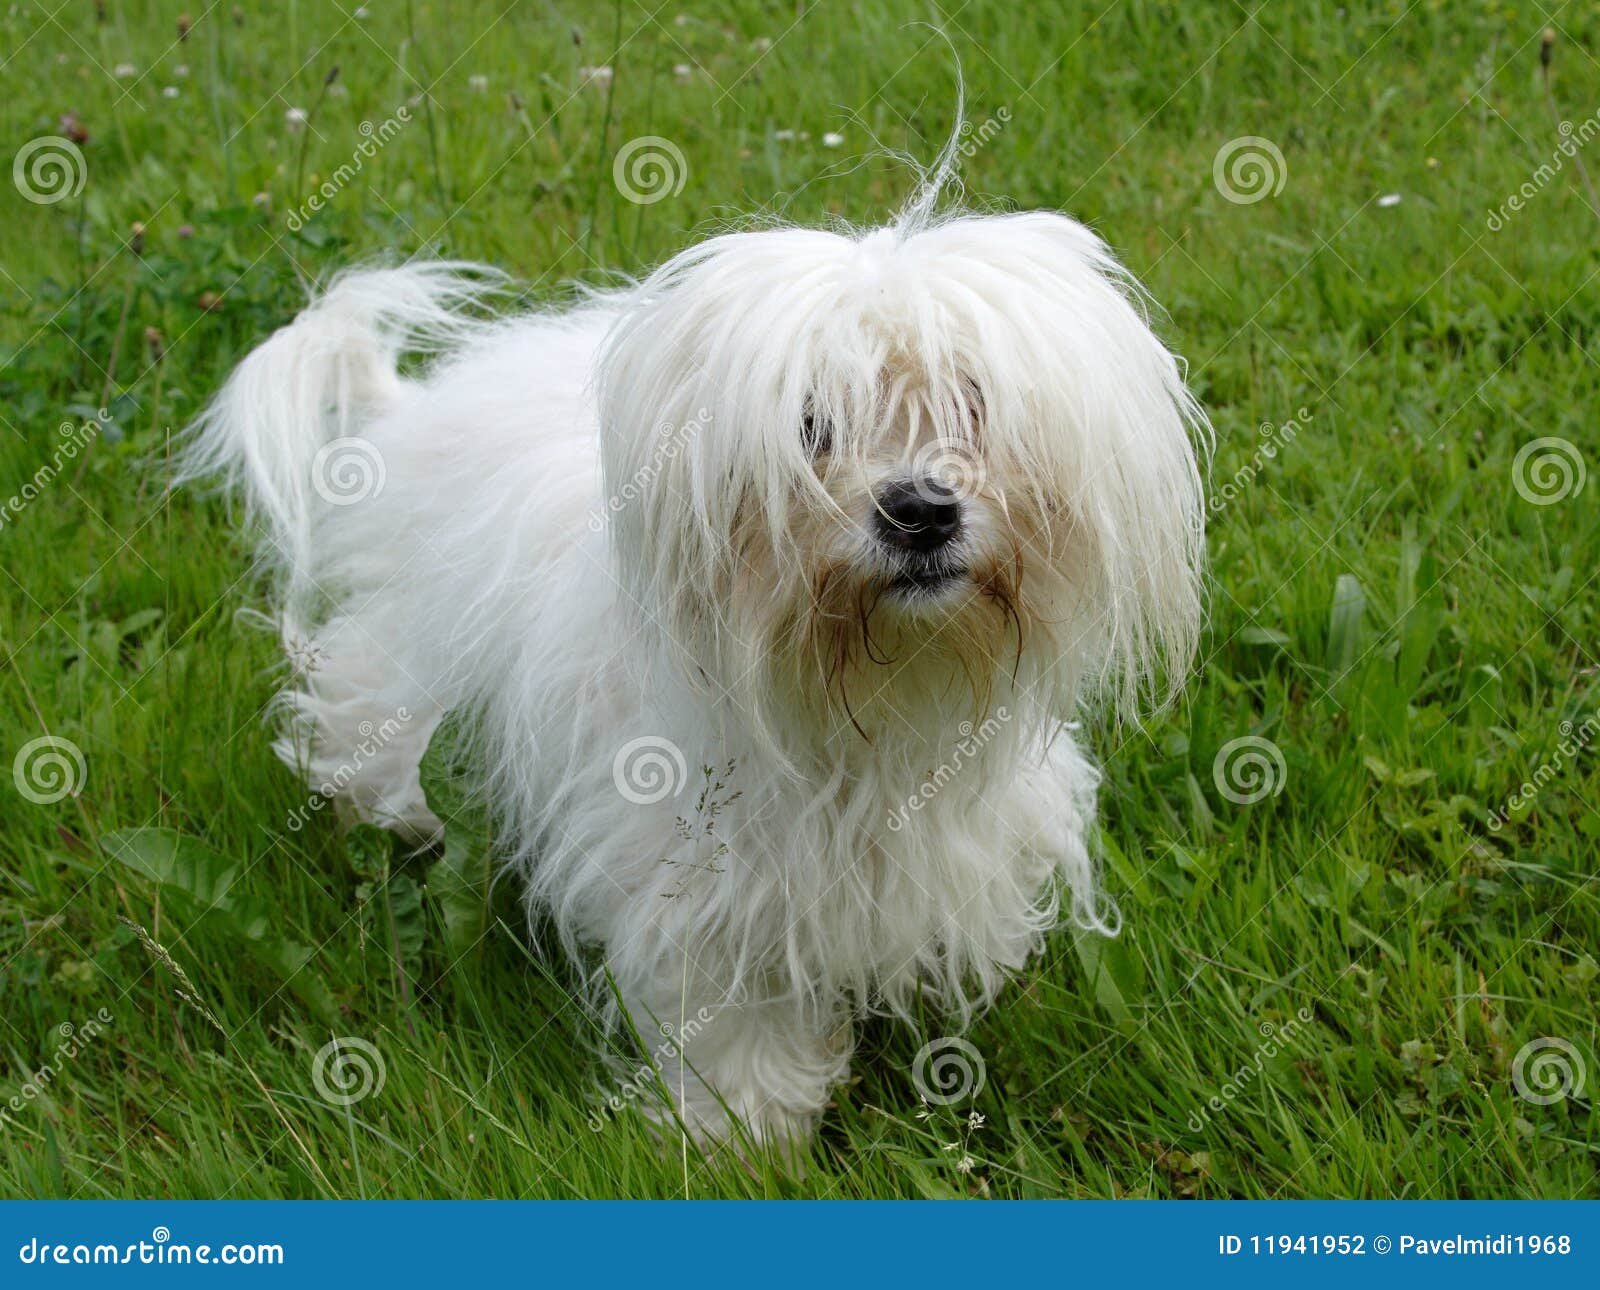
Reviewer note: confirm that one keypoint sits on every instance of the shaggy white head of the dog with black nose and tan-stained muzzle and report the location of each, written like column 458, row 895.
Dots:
column 878, row 465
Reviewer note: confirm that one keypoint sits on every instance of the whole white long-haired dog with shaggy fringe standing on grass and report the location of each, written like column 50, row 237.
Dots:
column 770, row 588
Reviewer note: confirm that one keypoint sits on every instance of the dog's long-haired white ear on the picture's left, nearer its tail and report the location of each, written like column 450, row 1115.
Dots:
column 706, row 425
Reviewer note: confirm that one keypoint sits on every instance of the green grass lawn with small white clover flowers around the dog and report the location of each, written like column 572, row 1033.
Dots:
column 1388, row 611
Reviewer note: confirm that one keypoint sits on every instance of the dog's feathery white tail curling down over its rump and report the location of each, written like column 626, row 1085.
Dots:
column 287, row 427
